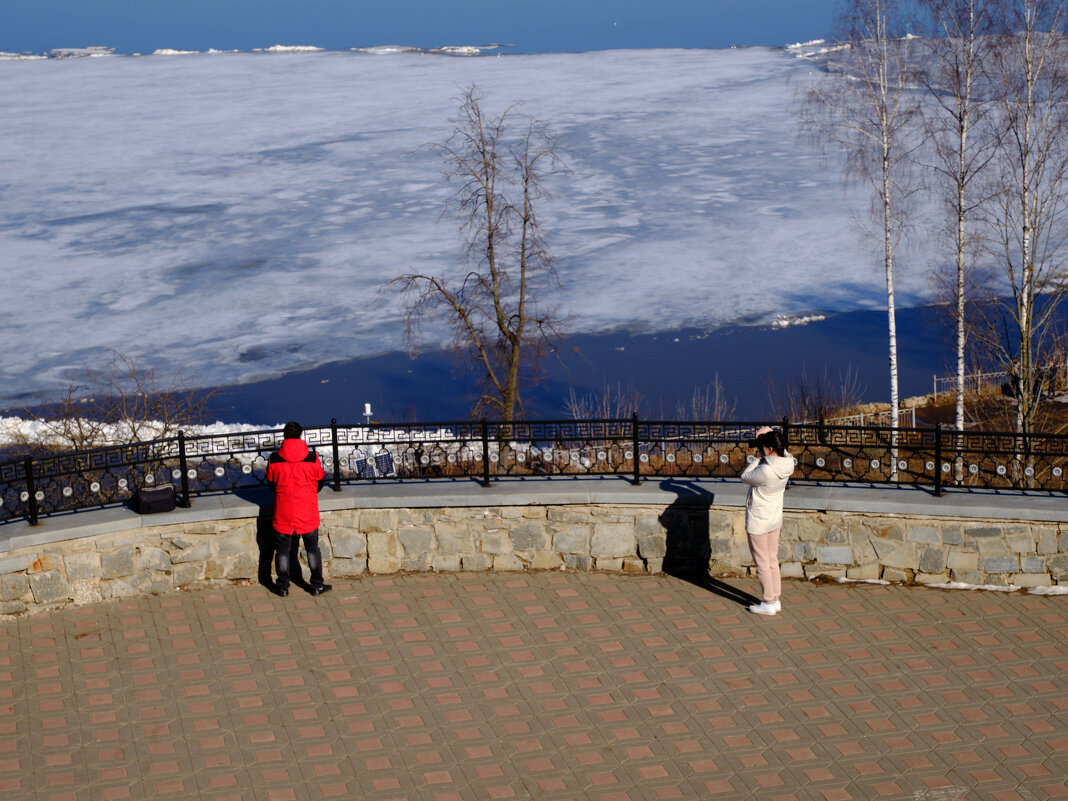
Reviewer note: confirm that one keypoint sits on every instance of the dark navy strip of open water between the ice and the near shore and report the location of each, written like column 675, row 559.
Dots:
column 664, row 369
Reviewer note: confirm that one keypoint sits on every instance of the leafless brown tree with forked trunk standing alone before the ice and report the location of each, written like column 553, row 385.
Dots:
column 498, row 310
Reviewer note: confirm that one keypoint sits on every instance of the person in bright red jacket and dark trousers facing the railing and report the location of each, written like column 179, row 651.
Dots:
column 296, row 475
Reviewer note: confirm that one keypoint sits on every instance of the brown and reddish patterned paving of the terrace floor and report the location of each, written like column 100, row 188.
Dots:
column 540, row 686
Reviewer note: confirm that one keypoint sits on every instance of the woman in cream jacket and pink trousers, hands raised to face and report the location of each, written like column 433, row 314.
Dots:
column 767, row 478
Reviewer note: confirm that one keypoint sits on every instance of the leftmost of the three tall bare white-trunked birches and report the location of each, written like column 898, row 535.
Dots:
column 867, row 111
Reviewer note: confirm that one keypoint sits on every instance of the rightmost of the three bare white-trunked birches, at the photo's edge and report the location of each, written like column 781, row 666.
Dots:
column 1027, row 222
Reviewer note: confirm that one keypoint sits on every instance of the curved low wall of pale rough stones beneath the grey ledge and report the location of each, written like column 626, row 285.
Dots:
column 630, row 539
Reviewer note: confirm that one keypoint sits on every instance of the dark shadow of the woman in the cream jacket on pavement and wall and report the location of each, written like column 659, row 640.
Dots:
column 688, row 546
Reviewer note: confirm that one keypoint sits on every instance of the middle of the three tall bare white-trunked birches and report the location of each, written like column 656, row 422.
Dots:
column 952, row 69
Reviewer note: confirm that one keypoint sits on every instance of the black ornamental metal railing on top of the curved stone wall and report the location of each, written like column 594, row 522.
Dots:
column 485, row 451
